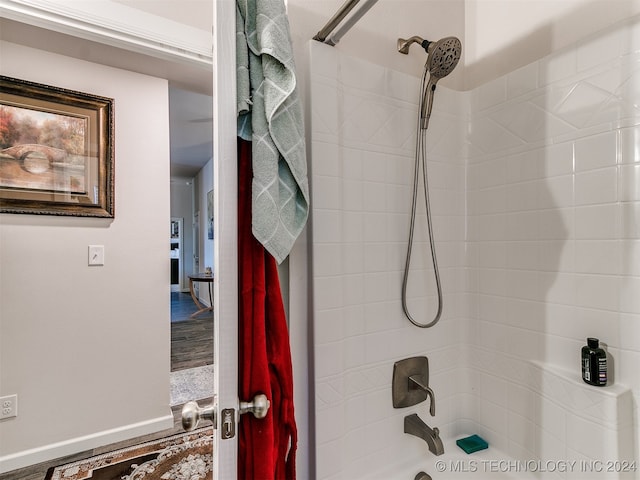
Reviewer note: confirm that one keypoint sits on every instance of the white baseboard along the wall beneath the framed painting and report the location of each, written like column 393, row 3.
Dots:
column 69, row 447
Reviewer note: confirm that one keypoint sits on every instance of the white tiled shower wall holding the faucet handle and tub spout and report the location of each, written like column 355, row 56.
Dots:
column 363, row 137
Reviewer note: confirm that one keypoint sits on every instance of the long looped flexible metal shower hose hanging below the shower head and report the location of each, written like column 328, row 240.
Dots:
column 420, row 159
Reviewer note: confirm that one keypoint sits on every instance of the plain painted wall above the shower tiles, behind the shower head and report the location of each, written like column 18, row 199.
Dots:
column 498, row 36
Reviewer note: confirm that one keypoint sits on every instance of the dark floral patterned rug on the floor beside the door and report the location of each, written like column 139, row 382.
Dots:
column 187, row 456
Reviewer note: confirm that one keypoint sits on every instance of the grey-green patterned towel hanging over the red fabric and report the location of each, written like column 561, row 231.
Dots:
column 270, row 116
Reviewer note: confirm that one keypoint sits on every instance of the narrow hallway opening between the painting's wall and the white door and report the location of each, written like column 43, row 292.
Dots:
column 190, row 122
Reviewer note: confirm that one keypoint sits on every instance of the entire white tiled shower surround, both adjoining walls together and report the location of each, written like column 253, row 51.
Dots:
column 550, row 235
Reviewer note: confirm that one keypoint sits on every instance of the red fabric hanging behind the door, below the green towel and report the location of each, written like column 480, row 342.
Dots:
column 267, row 447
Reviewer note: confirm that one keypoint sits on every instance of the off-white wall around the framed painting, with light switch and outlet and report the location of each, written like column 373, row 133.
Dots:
column 87, row 349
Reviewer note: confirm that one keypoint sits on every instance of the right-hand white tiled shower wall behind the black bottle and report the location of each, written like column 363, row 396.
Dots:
column 553, row 221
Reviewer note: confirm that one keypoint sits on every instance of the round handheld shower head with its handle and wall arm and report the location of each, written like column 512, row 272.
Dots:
column 443, row 56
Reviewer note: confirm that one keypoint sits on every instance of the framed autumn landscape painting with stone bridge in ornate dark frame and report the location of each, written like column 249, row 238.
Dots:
column 56, row 151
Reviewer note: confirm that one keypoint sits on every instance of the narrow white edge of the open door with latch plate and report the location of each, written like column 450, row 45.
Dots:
column 225, row 242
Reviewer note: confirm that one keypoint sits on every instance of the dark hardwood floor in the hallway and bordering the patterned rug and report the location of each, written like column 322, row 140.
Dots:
column 191, row 346
